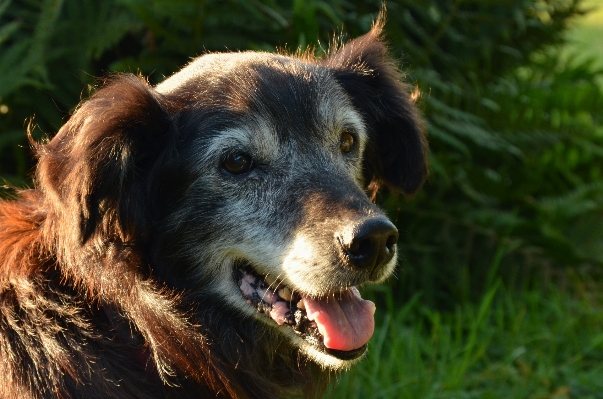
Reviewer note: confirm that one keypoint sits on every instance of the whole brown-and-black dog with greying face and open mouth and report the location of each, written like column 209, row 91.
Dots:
column 206, row 237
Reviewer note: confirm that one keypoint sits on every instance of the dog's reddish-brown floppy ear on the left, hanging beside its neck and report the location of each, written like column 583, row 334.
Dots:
column 94, row 171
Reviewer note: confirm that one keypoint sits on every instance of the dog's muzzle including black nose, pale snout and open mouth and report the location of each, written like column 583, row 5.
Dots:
column 336, row 321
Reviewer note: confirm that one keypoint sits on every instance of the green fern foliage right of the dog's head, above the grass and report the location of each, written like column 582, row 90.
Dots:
column 516, row 143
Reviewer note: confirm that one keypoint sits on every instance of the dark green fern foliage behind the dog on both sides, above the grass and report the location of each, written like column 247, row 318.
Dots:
column 516, row 132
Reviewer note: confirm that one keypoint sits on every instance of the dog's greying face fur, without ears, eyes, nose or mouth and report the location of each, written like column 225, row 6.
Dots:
column 284, row 217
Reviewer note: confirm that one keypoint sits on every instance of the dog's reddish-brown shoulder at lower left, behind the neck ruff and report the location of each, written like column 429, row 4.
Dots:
column 54, row 343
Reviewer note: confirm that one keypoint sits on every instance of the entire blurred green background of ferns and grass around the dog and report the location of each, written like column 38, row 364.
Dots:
column 499, row 292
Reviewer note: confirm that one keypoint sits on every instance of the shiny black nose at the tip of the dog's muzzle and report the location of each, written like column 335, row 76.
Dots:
column 371, row 243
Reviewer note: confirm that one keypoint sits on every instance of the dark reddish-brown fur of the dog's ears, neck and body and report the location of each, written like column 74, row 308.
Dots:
column 82, row 313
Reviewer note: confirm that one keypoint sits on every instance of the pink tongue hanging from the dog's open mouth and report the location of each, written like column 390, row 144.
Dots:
column 346, row 323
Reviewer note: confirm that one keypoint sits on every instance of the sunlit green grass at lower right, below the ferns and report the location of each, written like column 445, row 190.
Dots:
column 529, row 345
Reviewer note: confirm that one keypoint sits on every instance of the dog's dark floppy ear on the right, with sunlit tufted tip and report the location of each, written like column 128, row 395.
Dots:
column 396, row 154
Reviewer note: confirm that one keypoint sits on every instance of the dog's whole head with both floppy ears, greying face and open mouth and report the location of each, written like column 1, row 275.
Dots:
column 244, row 178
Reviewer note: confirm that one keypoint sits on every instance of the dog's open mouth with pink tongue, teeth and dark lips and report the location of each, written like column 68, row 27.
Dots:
column 339, row 324
